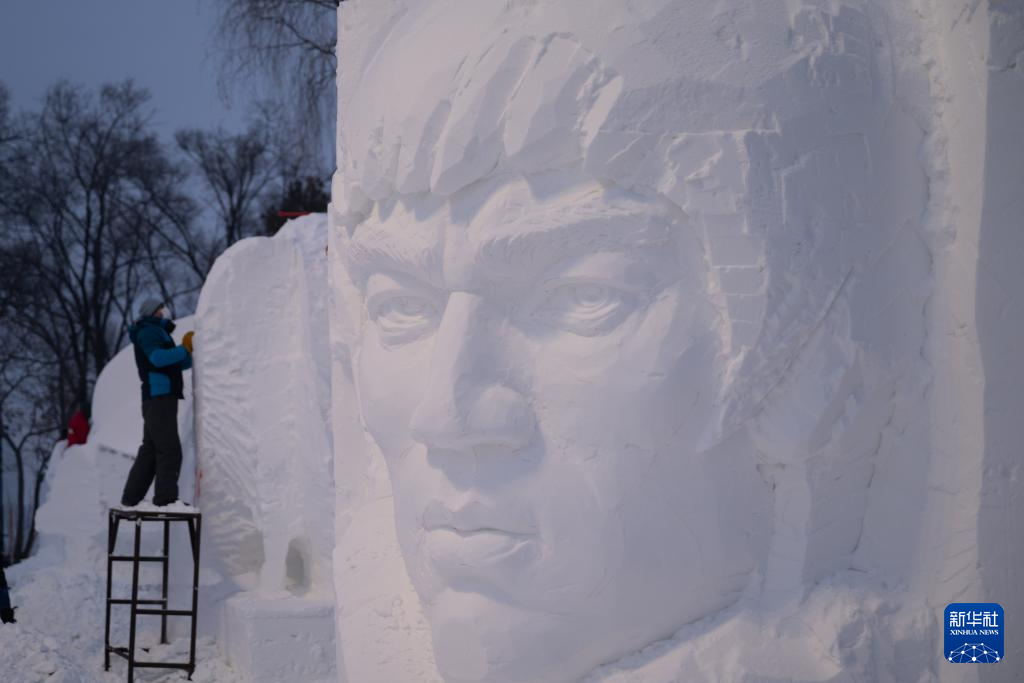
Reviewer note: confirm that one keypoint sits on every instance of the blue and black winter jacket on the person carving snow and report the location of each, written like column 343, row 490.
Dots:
column 159, row 361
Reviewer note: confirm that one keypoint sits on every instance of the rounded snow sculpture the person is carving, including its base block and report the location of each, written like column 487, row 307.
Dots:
column 266, row 458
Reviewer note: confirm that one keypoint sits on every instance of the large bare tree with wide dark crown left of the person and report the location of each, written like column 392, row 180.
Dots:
column 70, row 198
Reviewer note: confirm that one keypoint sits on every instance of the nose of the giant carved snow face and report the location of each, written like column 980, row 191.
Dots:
column 464, row 407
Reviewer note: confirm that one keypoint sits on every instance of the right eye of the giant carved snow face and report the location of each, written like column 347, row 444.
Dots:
column 586, row 309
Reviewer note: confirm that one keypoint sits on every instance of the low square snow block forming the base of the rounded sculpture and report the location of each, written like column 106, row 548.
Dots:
column 264, row 637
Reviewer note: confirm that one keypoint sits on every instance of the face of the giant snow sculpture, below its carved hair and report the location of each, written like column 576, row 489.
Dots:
column 534, row 369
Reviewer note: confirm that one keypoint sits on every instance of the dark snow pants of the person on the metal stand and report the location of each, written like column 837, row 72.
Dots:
column 159, row 456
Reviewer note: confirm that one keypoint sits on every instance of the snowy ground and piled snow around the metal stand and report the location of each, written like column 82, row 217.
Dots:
column 60, row 592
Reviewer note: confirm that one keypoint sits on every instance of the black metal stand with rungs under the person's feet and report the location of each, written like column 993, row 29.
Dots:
column 150, row 607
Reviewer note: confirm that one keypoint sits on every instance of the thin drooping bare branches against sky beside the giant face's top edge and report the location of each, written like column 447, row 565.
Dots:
column 292, row 45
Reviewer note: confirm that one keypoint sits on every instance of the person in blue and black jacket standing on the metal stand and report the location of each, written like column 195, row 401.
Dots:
column 160, row 363
